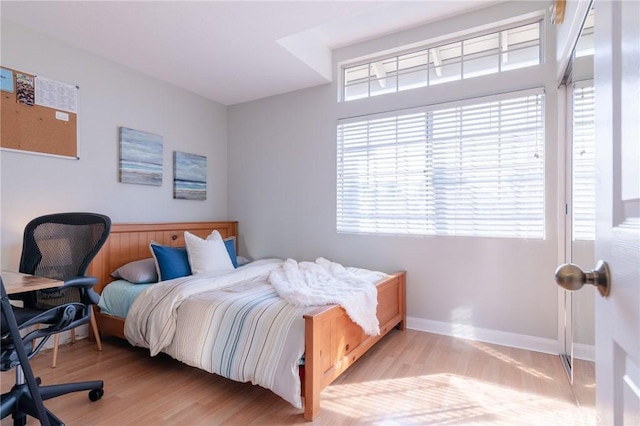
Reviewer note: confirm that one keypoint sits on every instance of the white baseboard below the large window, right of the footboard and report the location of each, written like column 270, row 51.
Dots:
column 521, row 341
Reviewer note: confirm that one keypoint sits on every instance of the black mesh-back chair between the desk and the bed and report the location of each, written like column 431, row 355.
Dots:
column 61, row 246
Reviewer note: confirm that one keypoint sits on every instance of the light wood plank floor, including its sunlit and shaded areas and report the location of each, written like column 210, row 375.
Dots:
column 409, row 378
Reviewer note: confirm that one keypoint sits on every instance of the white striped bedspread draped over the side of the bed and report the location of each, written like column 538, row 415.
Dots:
column 234, row 325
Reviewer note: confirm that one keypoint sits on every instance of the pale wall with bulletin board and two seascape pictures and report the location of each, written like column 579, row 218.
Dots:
column 111, row 96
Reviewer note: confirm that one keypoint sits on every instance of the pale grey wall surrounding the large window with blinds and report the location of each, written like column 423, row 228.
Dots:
column 282, row 186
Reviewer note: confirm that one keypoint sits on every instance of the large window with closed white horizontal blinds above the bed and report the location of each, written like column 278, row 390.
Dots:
column 472, row 169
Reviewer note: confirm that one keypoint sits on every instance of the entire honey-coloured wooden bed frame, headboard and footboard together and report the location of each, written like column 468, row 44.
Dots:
column 332, row 341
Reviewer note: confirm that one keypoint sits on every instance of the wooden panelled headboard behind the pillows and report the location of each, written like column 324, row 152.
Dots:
column 130, row 241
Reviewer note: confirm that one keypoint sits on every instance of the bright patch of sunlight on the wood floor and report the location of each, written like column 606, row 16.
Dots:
column 445, row 399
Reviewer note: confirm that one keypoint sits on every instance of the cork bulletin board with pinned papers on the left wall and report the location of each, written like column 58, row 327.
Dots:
column 38, row 115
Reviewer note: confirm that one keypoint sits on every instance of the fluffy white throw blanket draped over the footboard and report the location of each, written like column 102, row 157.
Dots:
column 325, row 283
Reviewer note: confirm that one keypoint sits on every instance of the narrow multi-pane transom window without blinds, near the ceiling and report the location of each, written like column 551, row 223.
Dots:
column 509, row 49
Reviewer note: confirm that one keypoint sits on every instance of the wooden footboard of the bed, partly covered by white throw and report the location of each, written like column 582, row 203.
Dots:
column 333, row 342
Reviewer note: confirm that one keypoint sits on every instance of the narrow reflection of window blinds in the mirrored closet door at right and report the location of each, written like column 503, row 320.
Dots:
column 584, row 165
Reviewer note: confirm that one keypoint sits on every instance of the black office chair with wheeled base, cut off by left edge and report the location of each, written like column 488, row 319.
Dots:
column 26, row 396
